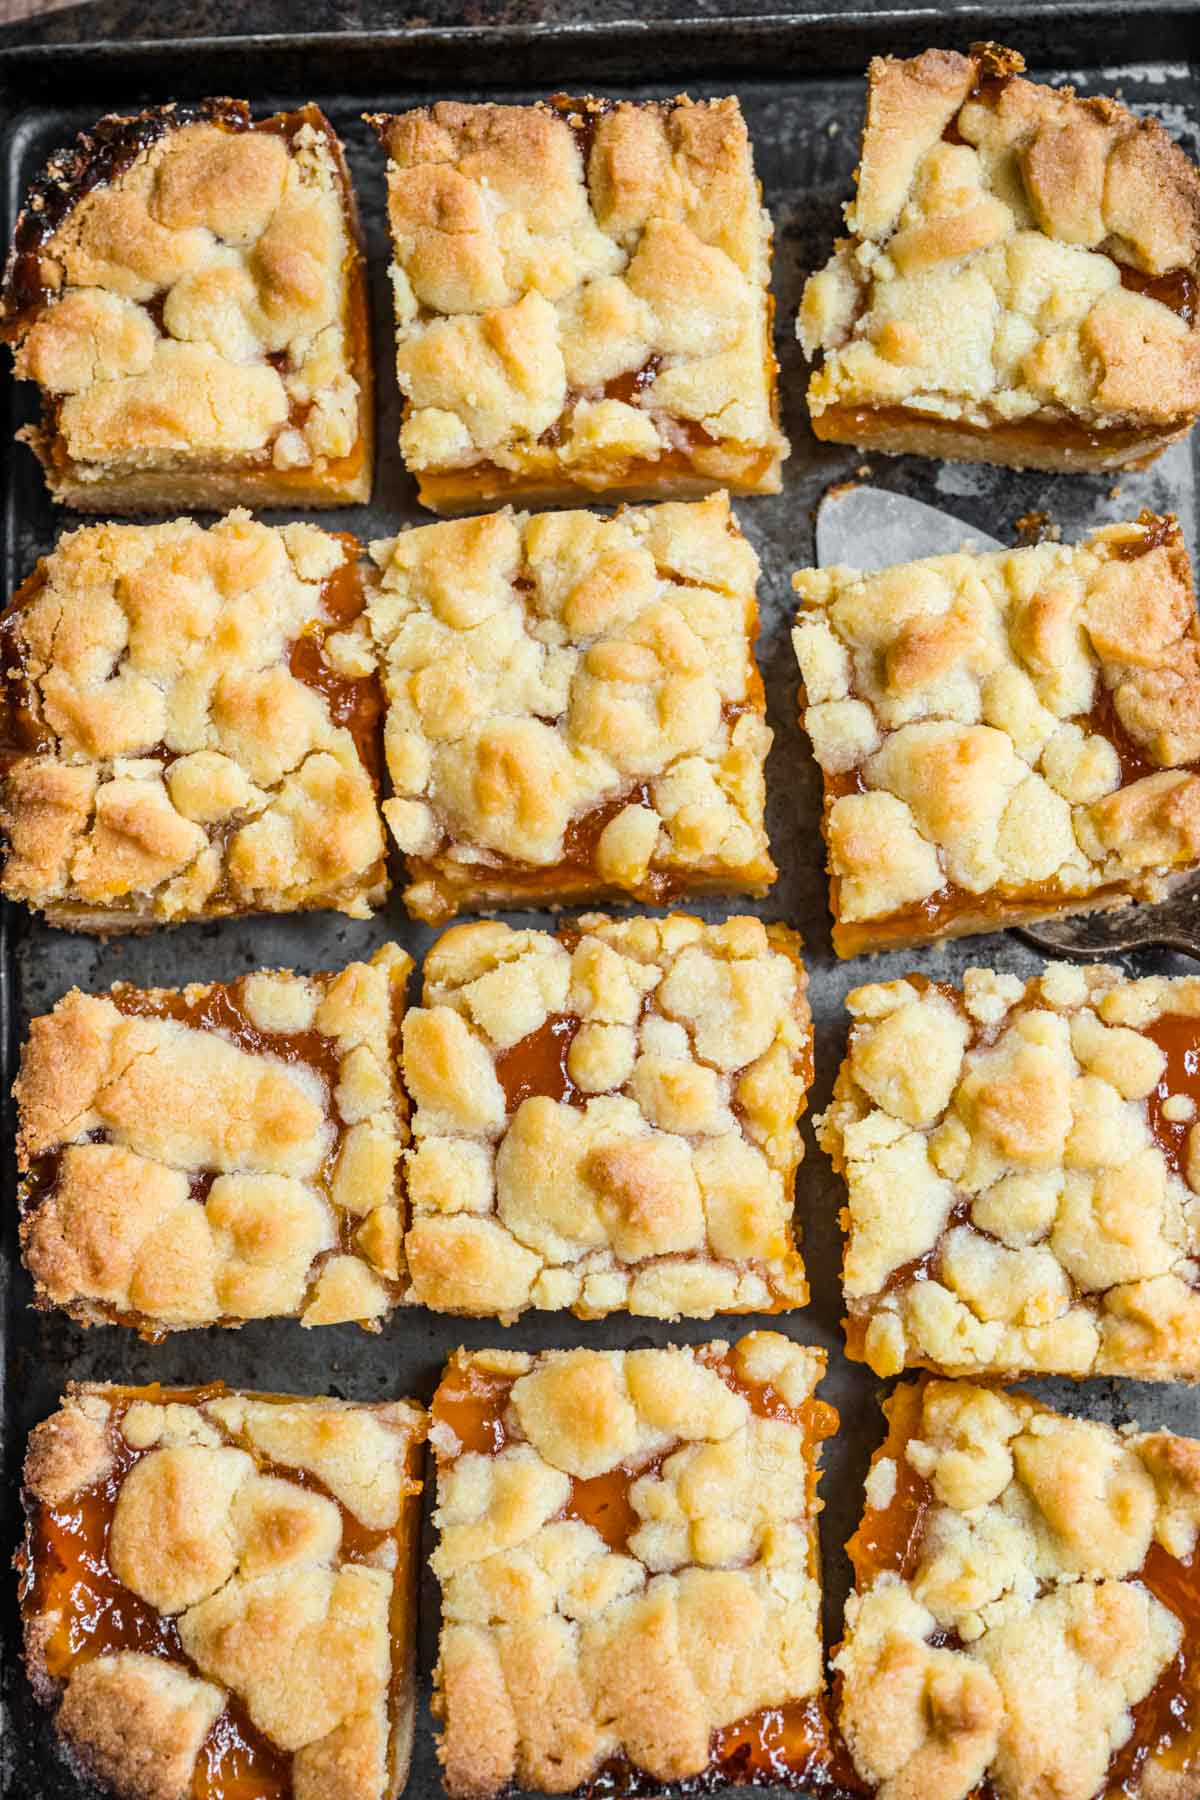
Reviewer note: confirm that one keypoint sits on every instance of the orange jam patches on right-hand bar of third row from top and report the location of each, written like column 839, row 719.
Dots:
column 1178, row 1038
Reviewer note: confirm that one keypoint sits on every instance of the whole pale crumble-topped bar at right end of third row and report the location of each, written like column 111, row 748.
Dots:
column 1023, row 1164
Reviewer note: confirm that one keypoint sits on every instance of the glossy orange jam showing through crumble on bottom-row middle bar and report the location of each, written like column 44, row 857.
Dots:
column 776, row 1747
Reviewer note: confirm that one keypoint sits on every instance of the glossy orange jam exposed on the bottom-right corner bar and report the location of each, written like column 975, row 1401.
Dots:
column 1167, row 1723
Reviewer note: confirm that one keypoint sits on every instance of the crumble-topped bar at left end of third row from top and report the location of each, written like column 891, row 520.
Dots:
column 215, row 1155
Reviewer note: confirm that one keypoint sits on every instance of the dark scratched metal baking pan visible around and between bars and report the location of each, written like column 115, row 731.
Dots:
column 801, row 87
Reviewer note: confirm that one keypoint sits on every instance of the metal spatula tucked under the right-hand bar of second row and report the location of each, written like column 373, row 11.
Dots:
column 868, row 528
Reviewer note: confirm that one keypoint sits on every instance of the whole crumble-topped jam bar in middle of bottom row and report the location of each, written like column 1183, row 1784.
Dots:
column 629, row 1569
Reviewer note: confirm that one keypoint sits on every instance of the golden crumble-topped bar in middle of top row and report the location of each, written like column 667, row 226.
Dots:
column 582, row 301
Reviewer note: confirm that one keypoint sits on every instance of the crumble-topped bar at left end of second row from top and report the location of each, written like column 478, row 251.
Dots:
column 190, row 728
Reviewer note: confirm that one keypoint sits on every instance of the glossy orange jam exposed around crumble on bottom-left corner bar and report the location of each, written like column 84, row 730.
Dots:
column 66, row 1576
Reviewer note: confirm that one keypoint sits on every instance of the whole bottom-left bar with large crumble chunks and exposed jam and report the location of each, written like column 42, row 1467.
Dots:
column 219, row 1590
